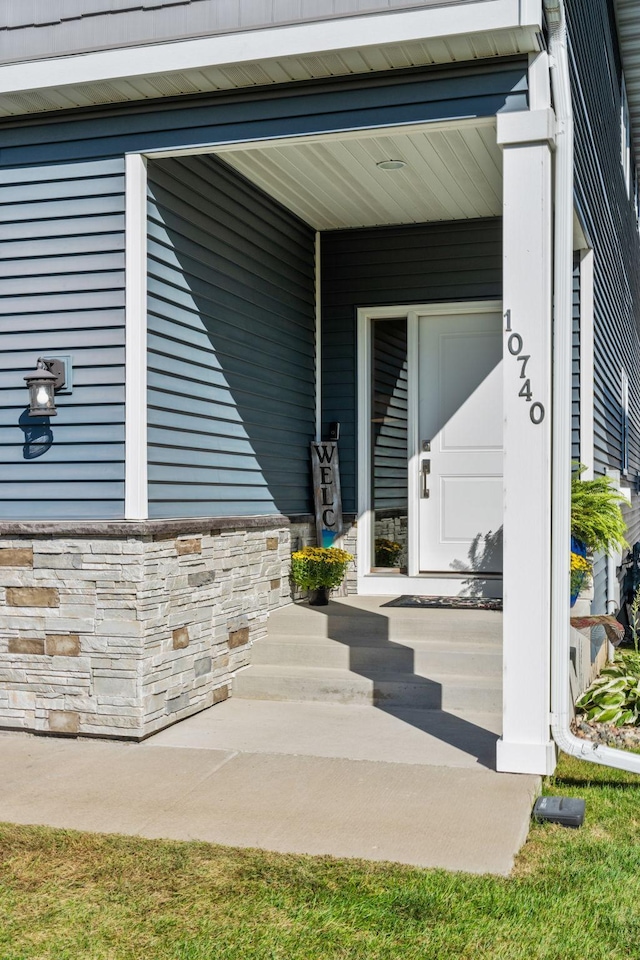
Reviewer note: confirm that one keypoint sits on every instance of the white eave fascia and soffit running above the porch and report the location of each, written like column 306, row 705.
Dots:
column 318, row 50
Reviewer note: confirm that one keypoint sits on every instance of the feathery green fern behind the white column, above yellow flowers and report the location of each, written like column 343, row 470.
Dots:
column 596, row 517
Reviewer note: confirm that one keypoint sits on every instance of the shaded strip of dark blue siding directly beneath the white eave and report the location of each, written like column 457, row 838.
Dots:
column 432, row 94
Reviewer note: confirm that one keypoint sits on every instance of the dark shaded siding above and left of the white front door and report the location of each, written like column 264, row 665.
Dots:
column 430, row 263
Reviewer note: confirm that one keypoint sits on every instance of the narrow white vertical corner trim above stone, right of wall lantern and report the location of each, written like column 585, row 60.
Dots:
column 136, row 494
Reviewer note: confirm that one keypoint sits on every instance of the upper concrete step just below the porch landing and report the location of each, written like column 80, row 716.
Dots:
column 410, row 657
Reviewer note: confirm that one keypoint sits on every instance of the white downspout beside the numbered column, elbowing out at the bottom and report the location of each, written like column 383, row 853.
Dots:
column 561, row 466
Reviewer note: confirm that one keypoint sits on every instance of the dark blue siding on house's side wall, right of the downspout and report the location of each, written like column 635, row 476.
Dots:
column 611, row 223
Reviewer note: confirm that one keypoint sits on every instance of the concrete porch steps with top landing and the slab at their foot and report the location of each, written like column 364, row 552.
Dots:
column 362, row 679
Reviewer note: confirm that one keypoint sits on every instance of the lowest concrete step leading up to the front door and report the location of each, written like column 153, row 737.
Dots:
column 439, row 692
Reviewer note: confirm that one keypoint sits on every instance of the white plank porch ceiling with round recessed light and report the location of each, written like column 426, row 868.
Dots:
column 452, row 173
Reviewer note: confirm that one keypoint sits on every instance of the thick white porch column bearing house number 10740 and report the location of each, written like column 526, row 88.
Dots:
column 527, row 139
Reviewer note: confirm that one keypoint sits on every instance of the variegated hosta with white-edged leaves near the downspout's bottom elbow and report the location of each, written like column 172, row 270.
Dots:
column 615, row 696
